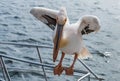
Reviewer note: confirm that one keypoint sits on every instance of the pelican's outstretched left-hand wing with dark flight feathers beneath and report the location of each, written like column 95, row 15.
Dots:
column 47, row 16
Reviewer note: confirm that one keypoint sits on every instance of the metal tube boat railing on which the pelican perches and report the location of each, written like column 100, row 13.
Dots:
column 5, row 69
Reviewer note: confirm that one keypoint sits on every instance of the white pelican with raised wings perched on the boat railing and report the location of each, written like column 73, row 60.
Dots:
column 67, row 37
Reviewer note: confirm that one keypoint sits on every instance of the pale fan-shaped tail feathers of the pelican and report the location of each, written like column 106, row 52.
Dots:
column 84, row 53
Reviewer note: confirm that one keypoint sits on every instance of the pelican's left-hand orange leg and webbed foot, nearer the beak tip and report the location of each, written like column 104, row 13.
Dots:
column 59, row 69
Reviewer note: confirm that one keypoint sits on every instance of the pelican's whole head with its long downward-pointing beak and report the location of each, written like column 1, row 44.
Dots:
column 61, row 21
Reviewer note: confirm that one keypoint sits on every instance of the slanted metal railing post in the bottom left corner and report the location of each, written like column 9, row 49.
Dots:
column 5, row 71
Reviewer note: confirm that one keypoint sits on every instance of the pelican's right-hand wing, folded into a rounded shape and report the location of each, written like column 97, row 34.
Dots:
column 89, row 23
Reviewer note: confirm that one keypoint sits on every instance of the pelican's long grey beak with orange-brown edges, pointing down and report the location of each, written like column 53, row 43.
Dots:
column 57, row 41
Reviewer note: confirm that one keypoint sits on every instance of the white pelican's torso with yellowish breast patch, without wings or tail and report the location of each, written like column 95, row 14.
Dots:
column 71, row 40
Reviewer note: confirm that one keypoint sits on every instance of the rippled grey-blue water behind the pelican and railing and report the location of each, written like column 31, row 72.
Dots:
column 18, row 25
